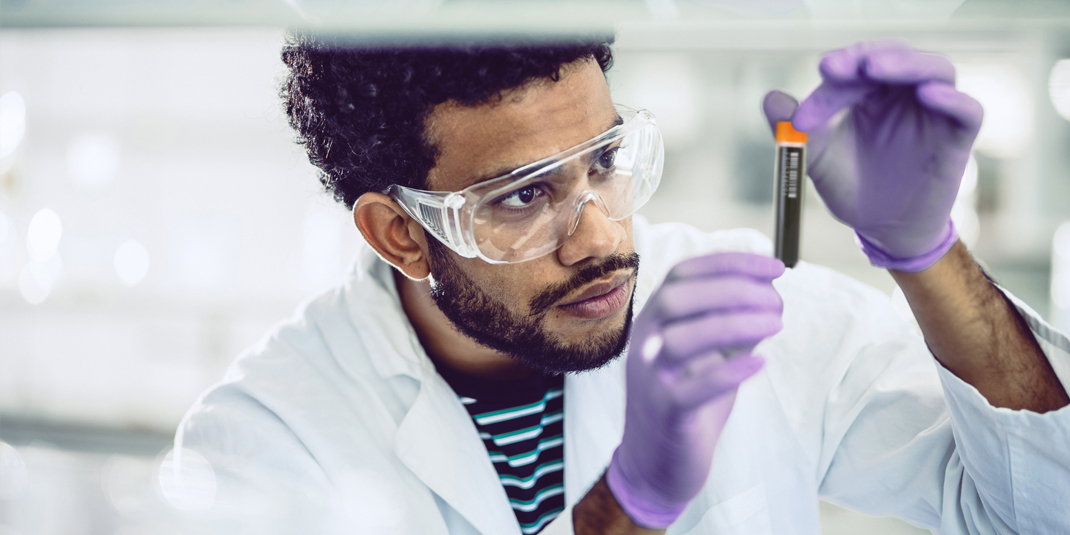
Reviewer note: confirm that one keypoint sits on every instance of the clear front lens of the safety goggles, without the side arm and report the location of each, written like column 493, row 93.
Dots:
column 533, row 217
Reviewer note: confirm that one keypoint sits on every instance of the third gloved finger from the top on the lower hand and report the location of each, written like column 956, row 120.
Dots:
column 717, row 332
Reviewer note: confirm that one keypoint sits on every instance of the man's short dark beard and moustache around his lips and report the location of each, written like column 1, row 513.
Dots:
column 490, row 323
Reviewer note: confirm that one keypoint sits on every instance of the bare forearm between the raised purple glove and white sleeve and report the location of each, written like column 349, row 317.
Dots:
column 977, row 334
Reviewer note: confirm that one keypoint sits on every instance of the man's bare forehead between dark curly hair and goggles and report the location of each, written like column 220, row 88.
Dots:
column 527, row 125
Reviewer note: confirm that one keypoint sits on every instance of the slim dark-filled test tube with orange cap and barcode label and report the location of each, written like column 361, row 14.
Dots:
column 790, row 176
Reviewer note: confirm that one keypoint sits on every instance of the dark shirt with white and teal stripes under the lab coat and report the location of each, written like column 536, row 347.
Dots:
column 522, row 425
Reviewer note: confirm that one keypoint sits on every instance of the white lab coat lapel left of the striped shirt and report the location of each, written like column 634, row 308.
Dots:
column 439, row 442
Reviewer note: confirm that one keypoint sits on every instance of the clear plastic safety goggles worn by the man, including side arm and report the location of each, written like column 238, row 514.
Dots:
column 534, row 210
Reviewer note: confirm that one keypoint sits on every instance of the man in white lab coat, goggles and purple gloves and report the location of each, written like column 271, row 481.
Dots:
column 498, row 363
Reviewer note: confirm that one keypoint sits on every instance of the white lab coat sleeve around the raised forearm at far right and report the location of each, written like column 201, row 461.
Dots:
column 901, row 440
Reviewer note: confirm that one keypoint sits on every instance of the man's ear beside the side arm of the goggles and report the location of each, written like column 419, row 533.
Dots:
column 398, row 238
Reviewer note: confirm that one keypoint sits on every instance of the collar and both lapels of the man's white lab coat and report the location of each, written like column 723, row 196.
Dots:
column 437, row 439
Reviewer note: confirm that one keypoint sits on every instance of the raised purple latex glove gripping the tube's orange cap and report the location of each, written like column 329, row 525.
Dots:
column 890, row 165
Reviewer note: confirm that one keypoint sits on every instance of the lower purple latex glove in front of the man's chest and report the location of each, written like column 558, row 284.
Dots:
column 682, row 381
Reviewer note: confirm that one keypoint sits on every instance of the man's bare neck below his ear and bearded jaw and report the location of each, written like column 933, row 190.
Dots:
column 445, row 344
